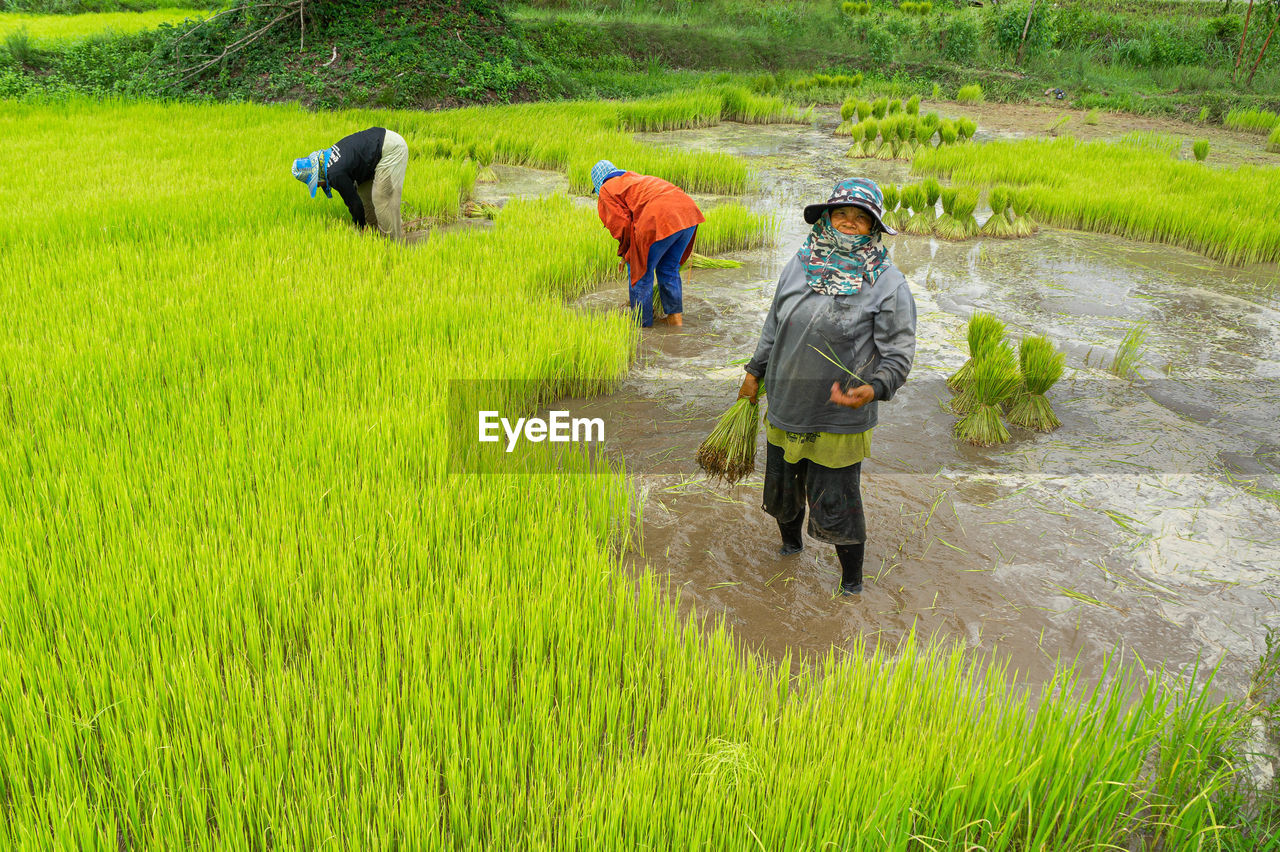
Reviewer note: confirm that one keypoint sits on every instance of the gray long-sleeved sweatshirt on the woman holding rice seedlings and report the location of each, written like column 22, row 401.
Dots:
column 871, row 332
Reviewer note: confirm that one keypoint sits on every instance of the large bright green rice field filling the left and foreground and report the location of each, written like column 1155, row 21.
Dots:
column 253, row 597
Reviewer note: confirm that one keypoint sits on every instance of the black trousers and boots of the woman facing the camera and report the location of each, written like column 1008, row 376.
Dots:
column 835, row 502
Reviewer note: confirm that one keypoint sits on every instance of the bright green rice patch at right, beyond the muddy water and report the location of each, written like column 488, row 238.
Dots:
column 1127, row 190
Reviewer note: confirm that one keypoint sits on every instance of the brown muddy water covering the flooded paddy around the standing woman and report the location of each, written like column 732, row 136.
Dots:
column 1127, row 529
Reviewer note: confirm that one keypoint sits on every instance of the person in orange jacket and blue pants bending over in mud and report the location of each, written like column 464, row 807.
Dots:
column 655, row 223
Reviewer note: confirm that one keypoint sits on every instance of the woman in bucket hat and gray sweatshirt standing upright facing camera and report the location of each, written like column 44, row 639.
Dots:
column 839, row 338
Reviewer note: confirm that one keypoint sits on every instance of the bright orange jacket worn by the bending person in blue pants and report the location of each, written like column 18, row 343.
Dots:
column 639, row 210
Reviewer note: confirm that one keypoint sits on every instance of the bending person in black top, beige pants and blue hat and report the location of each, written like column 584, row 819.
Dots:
column 368, row 171
